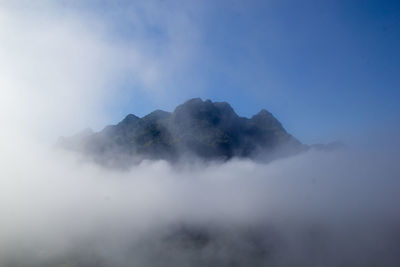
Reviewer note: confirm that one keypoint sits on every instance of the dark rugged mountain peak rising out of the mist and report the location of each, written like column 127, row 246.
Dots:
column 195, row 129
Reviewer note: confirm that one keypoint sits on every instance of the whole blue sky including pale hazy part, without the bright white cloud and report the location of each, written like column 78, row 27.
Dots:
column 327, row 69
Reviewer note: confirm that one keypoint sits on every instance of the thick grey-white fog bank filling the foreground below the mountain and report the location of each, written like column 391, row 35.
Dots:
column 316, row 209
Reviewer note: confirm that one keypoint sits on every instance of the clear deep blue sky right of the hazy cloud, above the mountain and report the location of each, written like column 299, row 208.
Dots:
column 324, row 68
